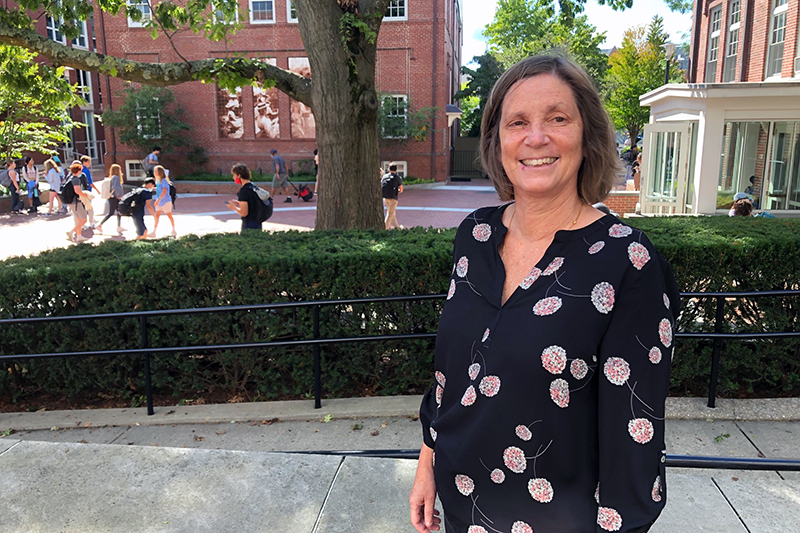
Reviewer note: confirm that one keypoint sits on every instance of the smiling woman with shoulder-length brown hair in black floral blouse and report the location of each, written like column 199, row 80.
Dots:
column 553, row 351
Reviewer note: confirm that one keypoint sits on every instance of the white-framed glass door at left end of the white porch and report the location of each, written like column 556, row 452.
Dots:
column 665, row 155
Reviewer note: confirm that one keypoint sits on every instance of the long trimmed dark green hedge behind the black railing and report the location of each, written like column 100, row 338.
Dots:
column 707, row 254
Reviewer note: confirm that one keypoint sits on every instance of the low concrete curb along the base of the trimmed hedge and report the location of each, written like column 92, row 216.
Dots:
column 770, row 409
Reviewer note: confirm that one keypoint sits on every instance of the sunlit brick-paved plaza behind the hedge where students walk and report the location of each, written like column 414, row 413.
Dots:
column 436, row 205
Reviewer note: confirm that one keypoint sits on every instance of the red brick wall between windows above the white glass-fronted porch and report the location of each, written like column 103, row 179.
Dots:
column 753, row 39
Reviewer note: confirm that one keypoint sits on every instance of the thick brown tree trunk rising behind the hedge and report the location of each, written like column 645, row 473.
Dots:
column 345, row 105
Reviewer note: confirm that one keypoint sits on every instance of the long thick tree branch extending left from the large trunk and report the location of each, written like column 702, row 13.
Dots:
column 158, row 74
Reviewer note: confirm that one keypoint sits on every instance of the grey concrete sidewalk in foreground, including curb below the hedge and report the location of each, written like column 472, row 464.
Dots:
column 215, row 468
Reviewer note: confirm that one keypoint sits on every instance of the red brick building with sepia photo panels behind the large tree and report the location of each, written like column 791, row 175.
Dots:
column 418, row 62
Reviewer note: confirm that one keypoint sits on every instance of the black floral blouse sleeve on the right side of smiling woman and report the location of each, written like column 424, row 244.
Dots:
column 635, row 355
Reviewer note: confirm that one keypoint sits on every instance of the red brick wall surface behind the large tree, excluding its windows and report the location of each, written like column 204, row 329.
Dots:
column 404, row 66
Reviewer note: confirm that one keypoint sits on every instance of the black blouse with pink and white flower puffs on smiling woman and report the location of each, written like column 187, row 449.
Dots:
column 547, row 413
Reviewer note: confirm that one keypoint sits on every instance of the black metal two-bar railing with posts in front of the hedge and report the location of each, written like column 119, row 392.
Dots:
column 146, row 352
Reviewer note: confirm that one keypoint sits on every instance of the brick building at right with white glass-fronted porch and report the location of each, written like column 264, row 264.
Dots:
column 737, row 118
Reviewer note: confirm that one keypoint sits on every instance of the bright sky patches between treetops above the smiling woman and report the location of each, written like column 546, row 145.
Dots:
column 478, row 13
